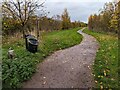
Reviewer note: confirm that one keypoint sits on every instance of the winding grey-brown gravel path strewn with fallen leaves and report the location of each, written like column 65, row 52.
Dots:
column 68, row 68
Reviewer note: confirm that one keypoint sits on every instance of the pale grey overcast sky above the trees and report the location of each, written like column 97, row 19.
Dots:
column 78, row 9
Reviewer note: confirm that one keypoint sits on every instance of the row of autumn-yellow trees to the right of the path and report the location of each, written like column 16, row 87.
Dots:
column 108, row 20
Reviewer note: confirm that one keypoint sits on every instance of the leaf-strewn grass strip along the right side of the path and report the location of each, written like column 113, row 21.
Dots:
column 106, row 62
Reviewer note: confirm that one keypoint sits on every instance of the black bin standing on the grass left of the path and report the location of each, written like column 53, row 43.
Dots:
column 31, row 43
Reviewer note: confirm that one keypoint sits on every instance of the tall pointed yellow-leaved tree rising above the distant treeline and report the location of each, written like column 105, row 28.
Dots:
column 66, row 23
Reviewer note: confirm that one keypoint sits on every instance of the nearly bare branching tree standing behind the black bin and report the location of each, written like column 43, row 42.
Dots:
column 20, row 10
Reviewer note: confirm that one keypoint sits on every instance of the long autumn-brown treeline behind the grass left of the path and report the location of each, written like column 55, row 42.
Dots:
column 57, row 22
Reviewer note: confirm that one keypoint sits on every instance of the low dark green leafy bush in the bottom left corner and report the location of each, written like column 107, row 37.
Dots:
column 16, row 71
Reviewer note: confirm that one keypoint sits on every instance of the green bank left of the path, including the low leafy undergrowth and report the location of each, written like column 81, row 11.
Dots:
column 22, row 67
